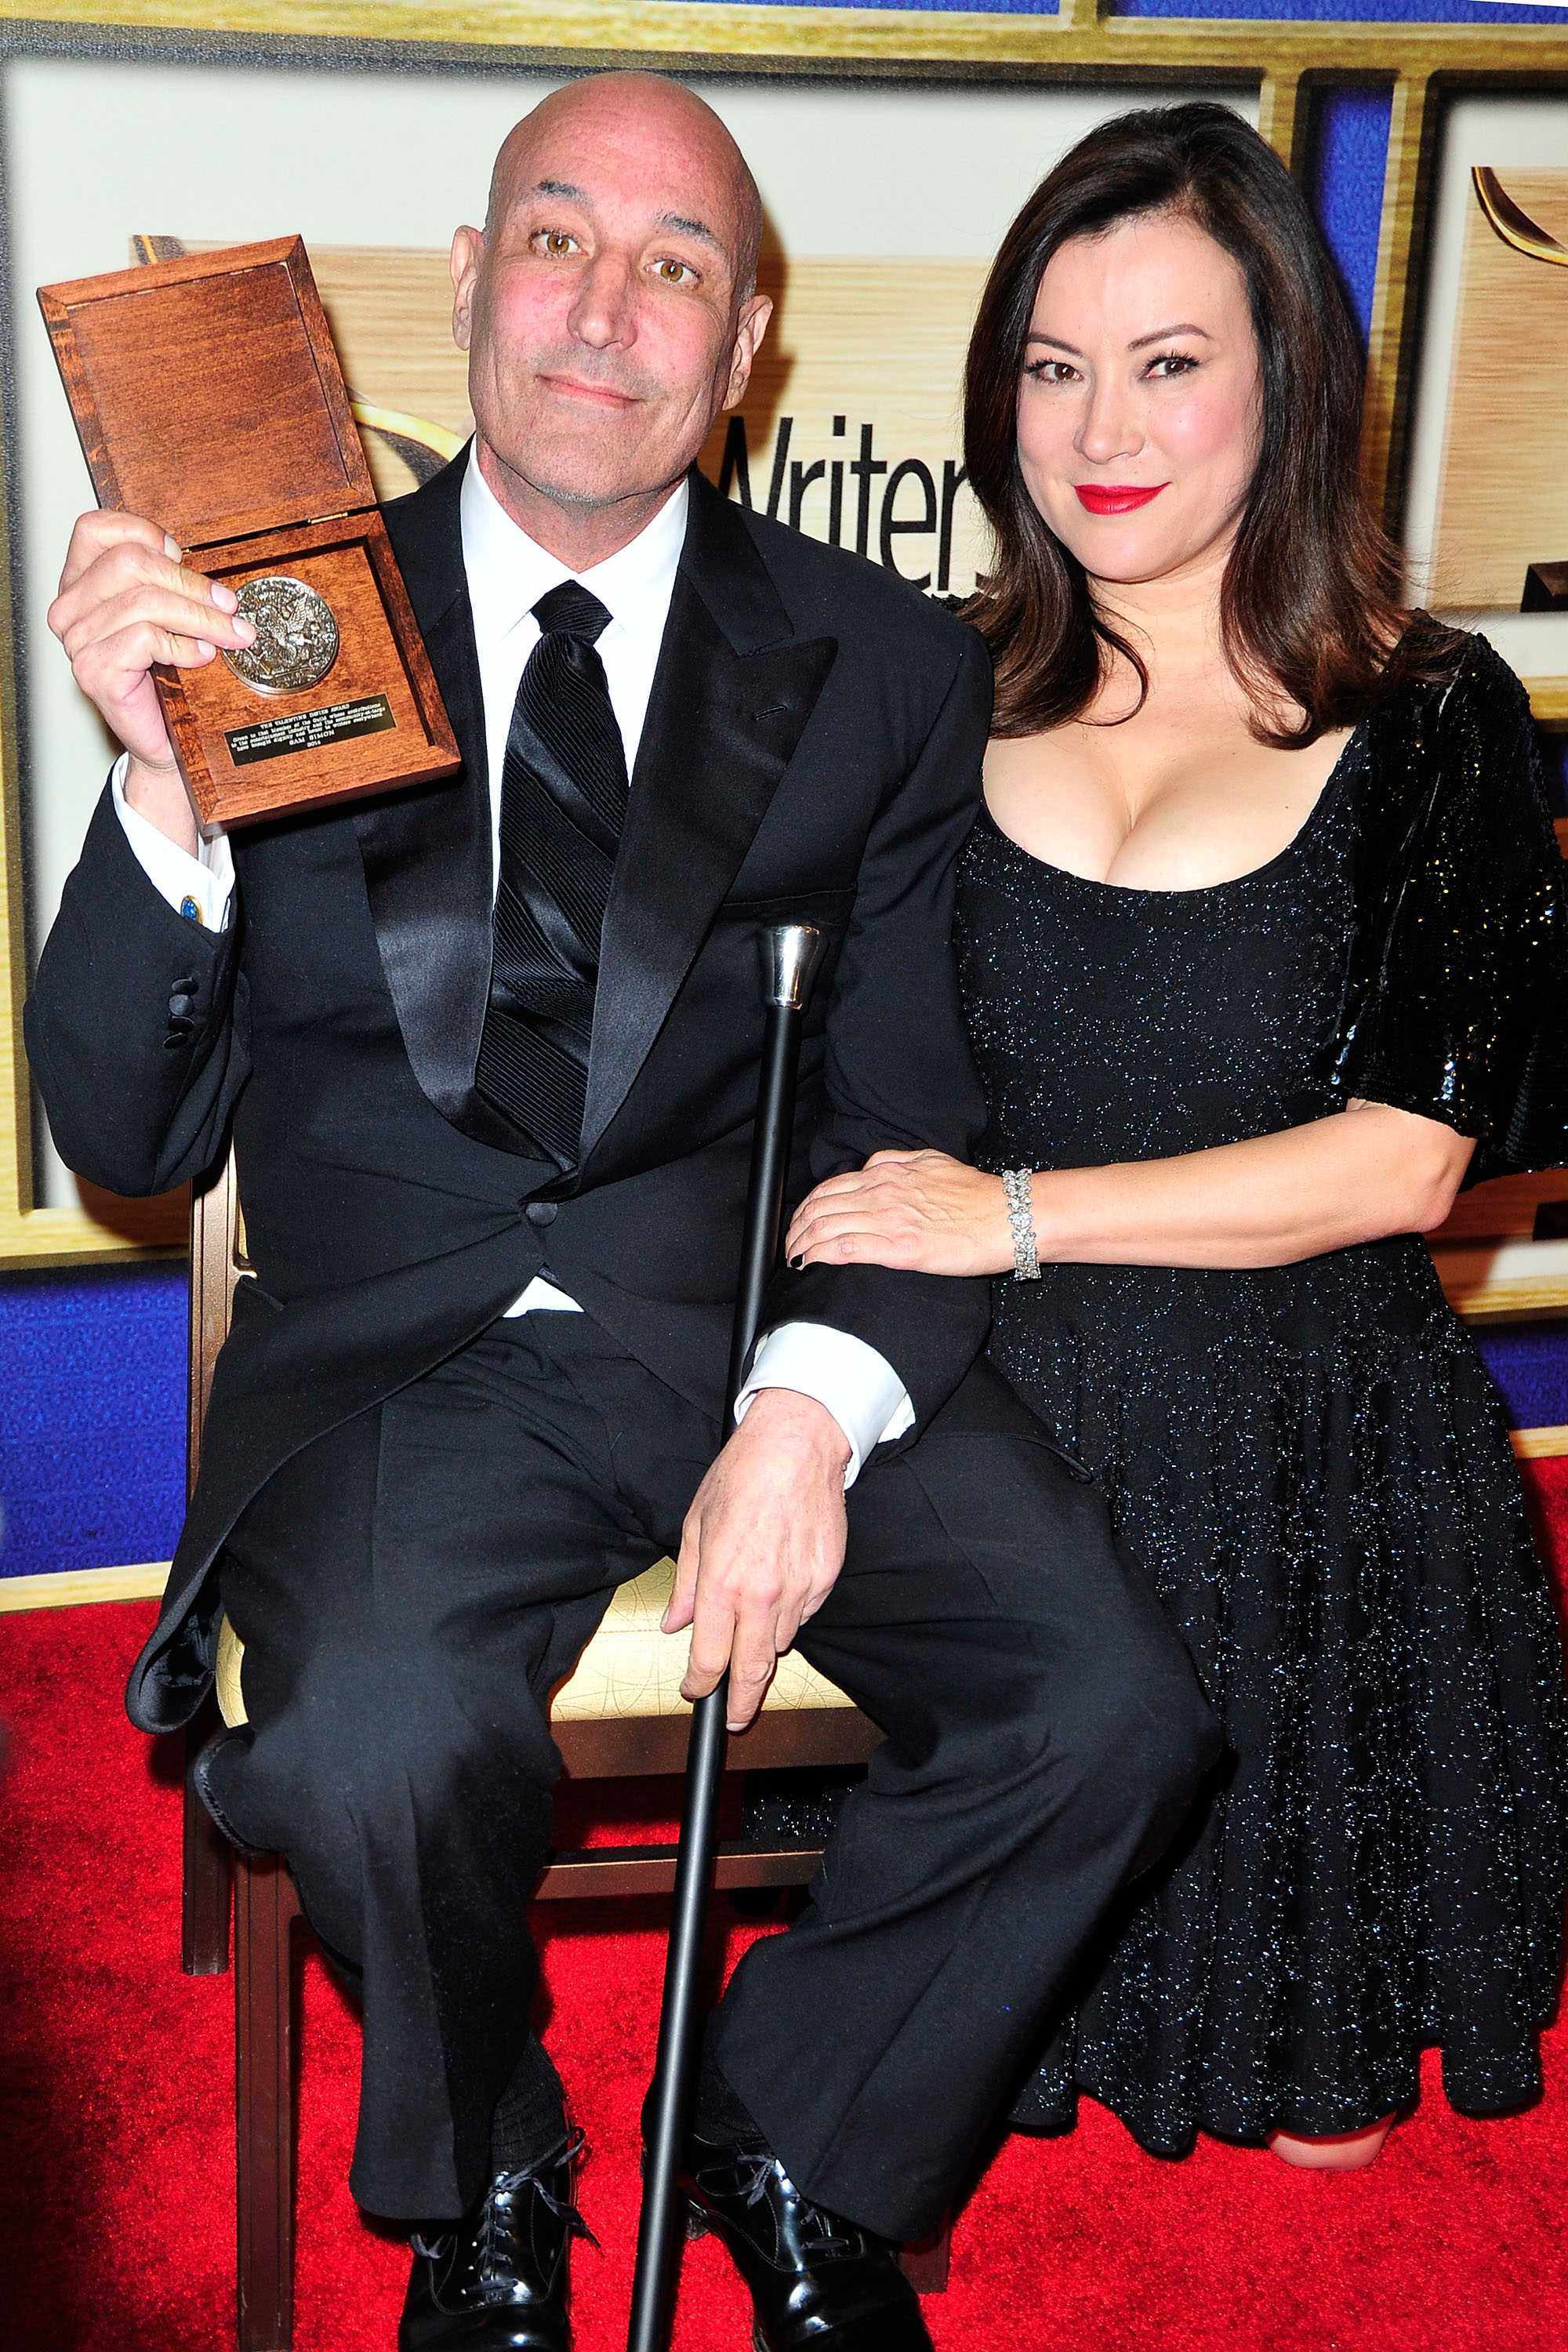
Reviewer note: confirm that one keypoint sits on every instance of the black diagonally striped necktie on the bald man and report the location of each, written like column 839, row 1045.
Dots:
column 563, row 806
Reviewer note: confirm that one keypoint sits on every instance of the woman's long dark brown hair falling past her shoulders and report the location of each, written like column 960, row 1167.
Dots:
column 1313, row 594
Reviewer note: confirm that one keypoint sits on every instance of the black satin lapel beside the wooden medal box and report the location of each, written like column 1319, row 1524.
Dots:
column 429, row 876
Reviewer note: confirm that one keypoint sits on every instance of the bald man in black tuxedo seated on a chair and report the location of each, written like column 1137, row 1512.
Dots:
column 488, row 1053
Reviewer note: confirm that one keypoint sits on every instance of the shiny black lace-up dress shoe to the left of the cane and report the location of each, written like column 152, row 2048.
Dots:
column 500, row 2280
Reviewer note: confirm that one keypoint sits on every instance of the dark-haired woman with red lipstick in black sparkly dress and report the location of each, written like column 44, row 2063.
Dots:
column 1264, row 947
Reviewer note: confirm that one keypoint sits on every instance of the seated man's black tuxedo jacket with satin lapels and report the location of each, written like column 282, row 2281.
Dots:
column 812, row 754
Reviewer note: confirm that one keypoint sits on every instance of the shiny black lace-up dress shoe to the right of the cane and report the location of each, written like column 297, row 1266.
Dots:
column 819, row 2283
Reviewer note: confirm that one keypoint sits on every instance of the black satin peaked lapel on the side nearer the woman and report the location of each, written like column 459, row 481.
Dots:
column 721, row 730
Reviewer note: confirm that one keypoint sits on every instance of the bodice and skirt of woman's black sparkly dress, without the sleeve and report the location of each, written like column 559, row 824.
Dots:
column 1315, row 1471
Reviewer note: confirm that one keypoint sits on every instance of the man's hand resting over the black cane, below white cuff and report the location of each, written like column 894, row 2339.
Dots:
column 760, row 1549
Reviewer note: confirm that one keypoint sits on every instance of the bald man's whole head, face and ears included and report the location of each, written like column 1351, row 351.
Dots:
column 610, row 307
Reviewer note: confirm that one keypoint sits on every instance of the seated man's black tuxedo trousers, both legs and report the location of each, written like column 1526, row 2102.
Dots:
column 415, row 1584
